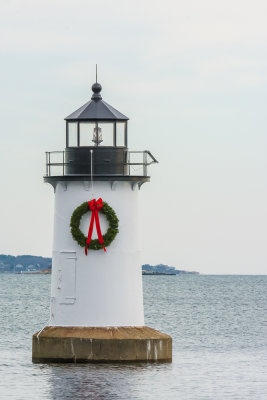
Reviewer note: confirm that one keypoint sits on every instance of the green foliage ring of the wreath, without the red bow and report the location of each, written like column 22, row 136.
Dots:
column 108, row 237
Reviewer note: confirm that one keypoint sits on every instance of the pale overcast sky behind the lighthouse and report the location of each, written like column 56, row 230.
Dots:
column 192, row 77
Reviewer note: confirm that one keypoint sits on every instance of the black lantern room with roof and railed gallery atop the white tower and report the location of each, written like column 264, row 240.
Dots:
column 97, row 146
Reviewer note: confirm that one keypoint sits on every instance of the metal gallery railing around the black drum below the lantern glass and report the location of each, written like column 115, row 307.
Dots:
column 135, row 164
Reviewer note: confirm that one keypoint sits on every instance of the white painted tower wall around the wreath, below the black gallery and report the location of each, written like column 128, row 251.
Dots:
column 100, row 289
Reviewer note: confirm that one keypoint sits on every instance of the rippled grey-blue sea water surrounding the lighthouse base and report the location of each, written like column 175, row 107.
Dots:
column 219, row 330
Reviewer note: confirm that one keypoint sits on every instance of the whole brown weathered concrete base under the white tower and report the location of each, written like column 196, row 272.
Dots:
column 89, row 345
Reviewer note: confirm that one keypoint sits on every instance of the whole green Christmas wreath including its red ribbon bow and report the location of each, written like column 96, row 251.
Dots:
column 95, row 206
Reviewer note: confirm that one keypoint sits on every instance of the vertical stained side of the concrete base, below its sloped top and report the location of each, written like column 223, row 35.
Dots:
column 76, row 350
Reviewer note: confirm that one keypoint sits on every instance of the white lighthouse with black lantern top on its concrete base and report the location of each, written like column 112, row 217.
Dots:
column 96, row 307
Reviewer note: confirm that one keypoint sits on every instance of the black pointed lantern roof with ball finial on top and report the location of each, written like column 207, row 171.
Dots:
column 96, row 109
